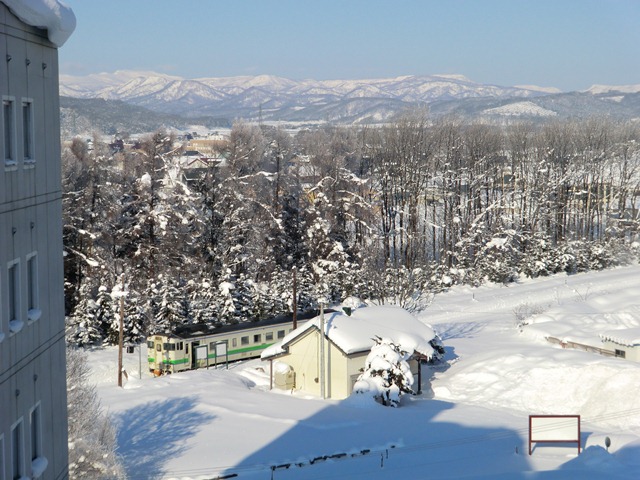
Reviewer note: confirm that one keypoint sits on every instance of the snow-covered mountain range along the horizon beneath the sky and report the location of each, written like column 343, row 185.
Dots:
column 271, row 98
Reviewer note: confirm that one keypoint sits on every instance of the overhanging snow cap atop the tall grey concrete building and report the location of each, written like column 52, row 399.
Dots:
column 51, row 15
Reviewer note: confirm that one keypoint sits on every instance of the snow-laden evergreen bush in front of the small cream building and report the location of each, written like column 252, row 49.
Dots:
column 387, row 375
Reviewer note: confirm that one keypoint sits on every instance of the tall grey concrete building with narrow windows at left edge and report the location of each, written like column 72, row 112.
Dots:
column 33, row 409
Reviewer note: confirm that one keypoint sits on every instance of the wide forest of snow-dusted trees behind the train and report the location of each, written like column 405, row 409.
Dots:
column 390, row 214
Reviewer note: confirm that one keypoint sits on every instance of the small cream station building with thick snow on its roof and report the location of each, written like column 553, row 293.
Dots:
column 296, row 362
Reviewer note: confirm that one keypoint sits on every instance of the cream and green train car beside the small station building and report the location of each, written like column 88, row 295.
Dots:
column 197, row 346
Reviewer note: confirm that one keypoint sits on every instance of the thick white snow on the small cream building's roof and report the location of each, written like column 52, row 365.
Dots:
column 355, row 333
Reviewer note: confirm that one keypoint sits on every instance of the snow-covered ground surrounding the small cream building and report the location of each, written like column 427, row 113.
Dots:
column 472, row 422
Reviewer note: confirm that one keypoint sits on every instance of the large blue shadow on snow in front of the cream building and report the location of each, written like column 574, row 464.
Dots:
column 359, row 439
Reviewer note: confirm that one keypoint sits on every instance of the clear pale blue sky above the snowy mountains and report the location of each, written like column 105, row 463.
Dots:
column 568, row 44
